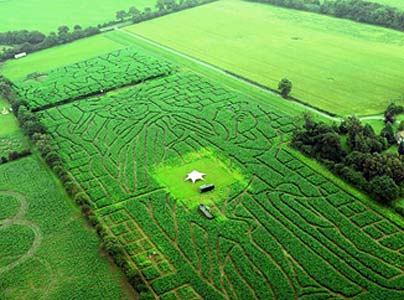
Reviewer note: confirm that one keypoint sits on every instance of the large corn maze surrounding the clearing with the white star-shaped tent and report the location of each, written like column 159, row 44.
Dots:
column 286, row 233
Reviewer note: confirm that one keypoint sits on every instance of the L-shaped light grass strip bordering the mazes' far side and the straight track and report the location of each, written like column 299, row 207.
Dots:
column 47, row 60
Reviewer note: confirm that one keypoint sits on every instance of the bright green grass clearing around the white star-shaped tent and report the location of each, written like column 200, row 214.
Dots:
column 217, row 172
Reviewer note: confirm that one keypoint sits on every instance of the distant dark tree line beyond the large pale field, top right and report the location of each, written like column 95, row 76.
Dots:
column 356, row 10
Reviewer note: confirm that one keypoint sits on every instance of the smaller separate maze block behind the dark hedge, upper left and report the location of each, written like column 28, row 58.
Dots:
column 112, row 70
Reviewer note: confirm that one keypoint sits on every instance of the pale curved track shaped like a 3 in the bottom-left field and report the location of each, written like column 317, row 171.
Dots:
column 18, row 219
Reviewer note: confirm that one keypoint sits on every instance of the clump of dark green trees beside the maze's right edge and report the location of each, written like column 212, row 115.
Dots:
column 356, row 153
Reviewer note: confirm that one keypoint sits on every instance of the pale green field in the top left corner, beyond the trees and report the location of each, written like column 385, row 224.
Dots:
column 48, row 15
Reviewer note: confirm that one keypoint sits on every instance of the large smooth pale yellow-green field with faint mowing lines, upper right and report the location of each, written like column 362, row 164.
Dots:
column 336, row 65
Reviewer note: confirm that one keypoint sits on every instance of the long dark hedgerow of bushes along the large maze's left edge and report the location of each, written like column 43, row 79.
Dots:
column 38, row 134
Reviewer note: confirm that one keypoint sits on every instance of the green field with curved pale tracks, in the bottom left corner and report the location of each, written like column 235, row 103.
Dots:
column 46, row 249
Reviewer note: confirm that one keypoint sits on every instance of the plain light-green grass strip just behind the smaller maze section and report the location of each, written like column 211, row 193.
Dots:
column 58, row 56
